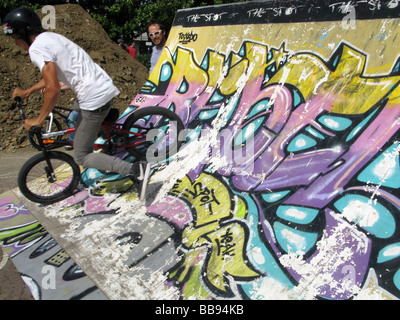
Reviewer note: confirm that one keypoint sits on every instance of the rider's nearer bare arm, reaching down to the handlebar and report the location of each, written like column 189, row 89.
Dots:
column 51, row 94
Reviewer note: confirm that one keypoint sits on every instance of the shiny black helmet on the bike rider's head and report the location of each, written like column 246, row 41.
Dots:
column 22, row 22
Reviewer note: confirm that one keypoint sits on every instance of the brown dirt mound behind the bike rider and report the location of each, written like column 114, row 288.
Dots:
column 16, row 70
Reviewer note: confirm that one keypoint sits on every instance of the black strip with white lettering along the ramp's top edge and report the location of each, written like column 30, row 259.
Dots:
column 289, row 11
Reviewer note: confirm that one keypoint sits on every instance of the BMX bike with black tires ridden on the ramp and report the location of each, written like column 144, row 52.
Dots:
column 52, row 176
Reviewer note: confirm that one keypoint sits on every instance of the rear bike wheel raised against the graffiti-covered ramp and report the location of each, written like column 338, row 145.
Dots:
column 163, row 143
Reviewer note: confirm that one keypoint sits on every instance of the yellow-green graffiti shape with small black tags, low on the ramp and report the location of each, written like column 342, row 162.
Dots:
column 226, row 242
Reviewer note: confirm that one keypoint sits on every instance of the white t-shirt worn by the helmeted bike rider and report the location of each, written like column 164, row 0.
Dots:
column 91, row 84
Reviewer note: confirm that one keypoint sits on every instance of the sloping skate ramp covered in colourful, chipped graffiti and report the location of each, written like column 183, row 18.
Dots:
column 288, row 184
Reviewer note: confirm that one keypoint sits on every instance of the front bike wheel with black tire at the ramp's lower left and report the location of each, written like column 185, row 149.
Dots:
column 34, row 181
